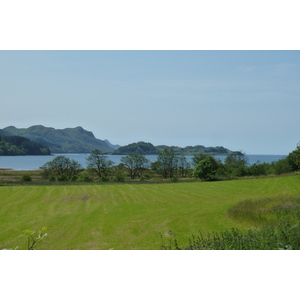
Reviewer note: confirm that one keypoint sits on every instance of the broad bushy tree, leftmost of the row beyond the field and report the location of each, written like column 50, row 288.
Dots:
column 61, row 166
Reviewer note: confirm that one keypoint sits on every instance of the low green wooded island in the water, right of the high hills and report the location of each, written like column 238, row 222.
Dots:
column 149, row 149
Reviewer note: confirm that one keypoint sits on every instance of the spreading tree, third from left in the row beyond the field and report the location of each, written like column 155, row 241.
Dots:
column 135, row 164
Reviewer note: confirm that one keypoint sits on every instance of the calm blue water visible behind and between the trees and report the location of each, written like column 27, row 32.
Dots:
column 34, row 162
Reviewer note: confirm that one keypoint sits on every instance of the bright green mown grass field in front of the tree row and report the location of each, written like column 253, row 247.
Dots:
column 128, row 216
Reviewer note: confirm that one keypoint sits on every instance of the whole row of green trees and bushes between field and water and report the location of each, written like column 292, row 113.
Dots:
column 167, row 166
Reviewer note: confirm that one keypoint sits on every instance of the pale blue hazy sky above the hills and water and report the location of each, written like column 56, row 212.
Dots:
column 242, row 100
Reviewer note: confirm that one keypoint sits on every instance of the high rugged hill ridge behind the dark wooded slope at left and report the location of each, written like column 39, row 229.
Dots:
column 69, row 140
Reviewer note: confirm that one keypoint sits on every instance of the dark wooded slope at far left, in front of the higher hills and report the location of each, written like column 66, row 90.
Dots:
column 16, row 145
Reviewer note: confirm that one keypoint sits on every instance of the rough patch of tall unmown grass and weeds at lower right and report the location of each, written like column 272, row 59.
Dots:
column 276, row 225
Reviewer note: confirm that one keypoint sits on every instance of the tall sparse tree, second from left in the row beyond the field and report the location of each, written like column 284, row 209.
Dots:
column 98, row 164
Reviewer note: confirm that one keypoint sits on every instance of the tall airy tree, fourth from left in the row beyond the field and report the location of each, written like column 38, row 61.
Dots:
column 167, row 163
